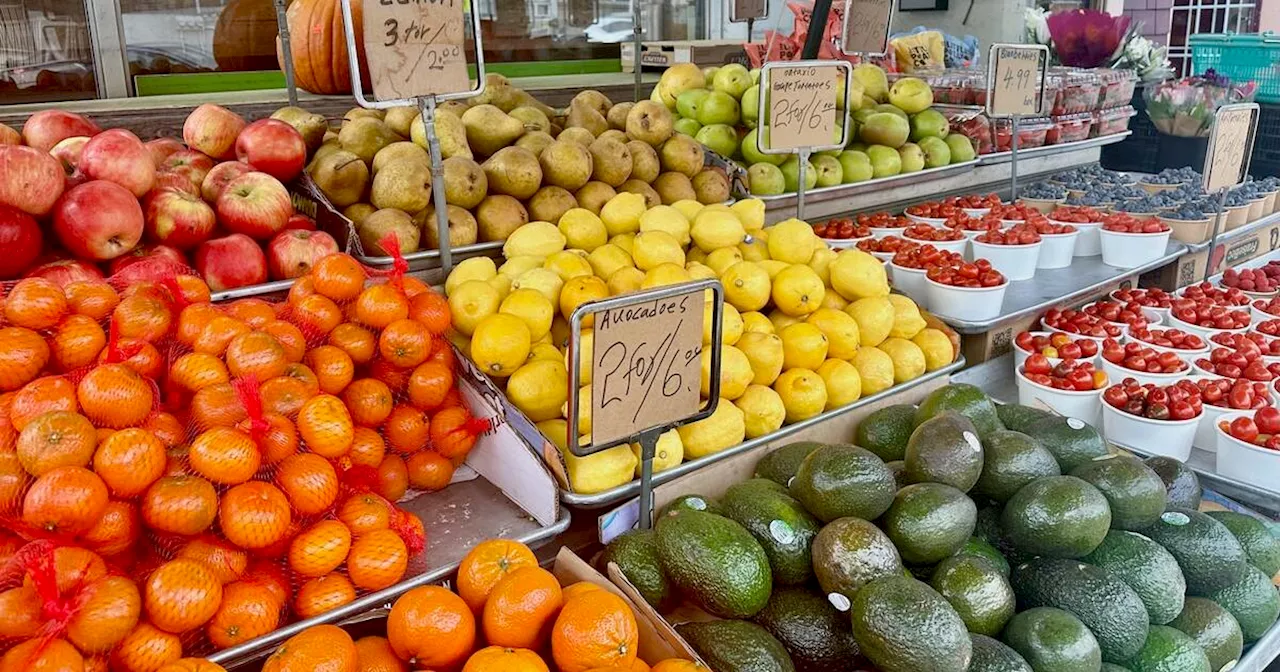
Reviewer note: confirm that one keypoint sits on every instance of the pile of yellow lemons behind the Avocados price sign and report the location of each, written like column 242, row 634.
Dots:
column 806, row 330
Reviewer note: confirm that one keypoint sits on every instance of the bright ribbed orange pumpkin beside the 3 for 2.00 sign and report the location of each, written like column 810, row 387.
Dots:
column 319, row 45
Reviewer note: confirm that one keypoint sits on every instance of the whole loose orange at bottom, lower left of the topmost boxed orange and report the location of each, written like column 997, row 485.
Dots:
column 431, row 628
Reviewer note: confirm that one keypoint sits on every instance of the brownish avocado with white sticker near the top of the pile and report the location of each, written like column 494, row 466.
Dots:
column 945, row 449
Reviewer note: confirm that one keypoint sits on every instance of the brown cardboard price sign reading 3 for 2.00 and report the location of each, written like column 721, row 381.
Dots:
column 415, row 48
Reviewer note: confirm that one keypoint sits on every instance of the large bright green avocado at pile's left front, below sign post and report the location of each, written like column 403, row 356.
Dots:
column 715, row 563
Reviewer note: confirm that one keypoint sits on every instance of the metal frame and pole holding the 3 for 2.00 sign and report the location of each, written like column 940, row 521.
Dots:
column 427, row 108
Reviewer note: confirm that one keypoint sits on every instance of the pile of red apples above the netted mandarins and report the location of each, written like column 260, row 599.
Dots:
column 77, row 202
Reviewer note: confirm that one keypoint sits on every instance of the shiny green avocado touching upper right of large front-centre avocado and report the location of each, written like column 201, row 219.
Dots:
column 977, row 592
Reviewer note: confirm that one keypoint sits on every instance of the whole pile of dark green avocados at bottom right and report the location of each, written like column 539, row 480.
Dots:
column 961, row 537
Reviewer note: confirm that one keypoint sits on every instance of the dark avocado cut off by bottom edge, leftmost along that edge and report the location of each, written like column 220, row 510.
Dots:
column 737, row 647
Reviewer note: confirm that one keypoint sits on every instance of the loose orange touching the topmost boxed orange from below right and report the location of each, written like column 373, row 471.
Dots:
column 522, row 609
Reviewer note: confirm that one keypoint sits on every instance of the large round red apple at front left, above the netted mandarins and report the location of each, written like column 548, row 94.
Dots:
column 99, row 221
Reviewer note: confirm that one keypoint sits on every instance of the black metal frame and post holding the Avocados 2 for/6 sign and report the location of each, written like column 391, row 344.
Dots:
column 646, row 437
